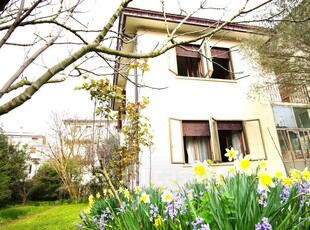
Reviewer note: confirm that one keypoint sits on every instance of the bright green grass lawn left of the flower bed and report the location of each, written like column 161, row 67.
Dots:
column 55, row 217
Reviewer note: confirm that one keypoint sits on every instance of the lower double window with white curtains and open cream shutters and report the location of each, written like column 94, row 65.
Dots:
column 192, row 141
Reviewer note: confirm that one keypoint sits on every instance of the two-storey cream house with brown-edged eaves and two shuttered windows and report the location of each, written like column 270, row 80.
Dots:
column 198, row 107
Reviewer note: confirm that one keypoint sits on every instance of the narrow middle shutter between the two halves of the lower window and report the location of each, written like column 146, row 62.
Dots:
column 215, row 143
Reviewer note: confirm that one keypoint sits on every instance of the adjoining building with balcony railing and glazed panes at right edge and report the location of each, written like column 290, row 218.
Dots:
column 291, row 108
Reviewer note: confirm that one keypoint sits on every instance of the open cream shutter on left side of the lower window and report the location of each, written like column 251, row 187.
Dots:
column 176, row 141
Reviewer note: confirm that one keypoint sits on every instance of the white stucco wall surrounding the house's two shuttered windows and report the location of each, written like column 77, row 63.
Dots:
column 196, row 99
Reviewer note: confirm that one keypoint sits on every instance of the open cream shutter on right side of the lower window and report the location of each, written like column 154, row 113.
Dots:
column 254, row 139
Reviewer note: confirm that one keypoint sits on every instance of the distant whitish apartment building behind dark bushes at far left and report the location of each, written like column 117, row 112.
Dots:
column 36, row 144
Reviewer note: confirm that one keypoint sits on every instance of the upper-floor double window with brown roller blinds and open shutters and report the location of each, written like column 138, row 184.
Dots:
column 202, row 62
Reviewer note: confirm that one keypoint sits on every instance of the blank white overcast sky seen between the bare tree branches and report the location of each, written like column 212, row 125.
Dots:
column 34, row 115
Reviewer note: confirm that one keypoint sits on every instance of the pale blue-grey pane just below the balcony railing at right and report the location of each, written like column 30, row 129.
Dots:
column 284, row 117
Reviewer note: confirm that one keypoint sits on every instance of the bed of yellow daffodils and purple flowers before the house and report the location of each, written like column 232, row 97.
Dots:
column 245, row 198
